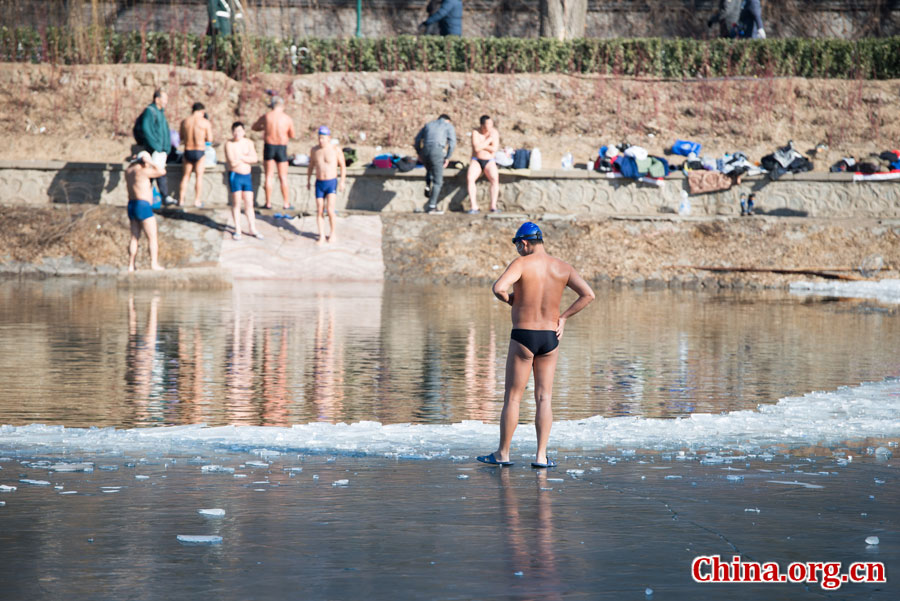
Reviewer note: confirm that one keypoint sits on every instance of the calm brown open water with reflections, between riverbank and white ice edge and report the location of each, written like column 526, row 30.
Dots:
column 89, row 354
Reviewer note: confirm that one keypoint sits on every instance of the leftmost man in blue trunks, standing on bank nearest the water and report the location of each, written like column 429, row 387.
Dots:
column 140, row 214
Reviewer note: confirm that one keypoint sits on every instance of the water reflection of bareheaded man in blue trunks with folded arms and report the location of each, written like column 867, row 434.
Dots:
column 239, row 374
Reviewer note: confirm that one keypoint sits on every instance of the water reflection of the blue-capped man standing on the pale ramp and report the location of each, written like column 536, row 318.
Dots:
column 328, row 366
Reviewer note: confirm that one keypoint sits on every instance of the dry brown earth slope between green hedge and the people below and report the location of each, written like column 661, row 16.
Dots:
column 86, row 113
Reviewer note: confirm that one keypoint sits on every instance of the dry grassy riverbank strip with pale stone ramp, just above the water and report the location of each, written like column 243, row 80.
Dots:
column 455, row 248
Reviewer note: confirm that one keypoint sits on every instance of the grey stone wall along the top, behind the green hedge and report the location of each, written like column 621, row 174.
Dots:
column 481, row 18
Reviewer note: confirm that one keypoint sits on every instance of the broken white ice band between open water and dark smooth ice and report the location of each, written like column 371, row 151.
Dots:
column 846, row 414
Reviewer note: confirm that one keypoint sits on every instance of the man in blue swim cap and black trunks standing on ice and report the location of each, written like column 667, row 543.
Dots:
column 538, row 281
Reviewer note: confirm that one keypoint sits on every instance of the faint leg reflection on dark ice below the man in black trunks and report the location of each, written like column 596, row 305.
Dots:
column 529, row 536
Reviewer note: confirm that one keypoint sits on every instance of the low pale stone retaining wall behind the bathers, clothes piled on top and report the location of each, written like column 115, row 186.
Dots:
column 573, row 192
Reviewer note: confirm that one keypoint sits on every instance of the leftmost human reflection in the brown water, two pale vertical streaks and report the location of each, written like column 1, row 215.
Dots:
column 139, row 361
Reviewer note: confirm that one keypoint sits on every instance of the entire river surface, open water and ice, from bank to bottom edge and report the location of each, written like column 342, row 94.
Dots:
column 774, row 418
